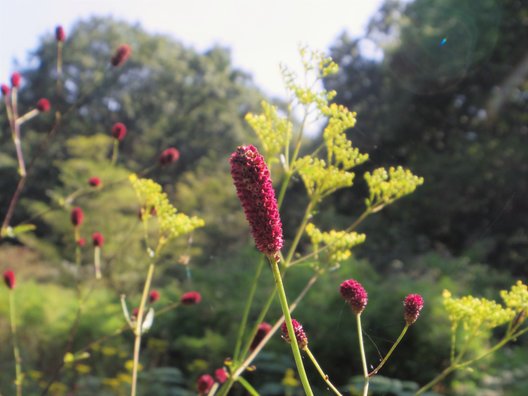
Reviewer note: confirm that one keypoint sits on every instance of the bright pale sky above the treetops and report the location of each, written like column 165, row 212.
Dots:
column 261, row 34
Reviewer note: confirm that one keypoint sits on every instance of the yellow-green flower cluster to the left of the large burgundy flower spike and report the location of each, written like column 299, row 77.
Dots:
column 171, row 224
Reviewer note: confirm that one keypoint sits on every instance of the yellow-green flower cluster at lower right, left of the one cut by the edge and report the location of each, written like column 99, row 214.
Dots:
column 476, row 315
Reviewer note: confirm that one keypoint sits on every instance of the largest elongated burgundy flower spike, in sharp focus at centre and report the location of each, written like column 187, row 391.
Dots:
column 252, row 180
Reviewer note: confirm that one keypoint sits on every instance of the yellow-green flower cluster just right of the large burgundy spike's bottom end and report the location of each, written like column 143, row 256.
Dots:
column 339, row 242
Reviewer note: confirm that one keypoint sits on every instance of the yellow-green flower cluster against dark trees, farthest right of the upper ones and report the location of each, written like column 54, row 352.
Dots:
column 387, row 186
